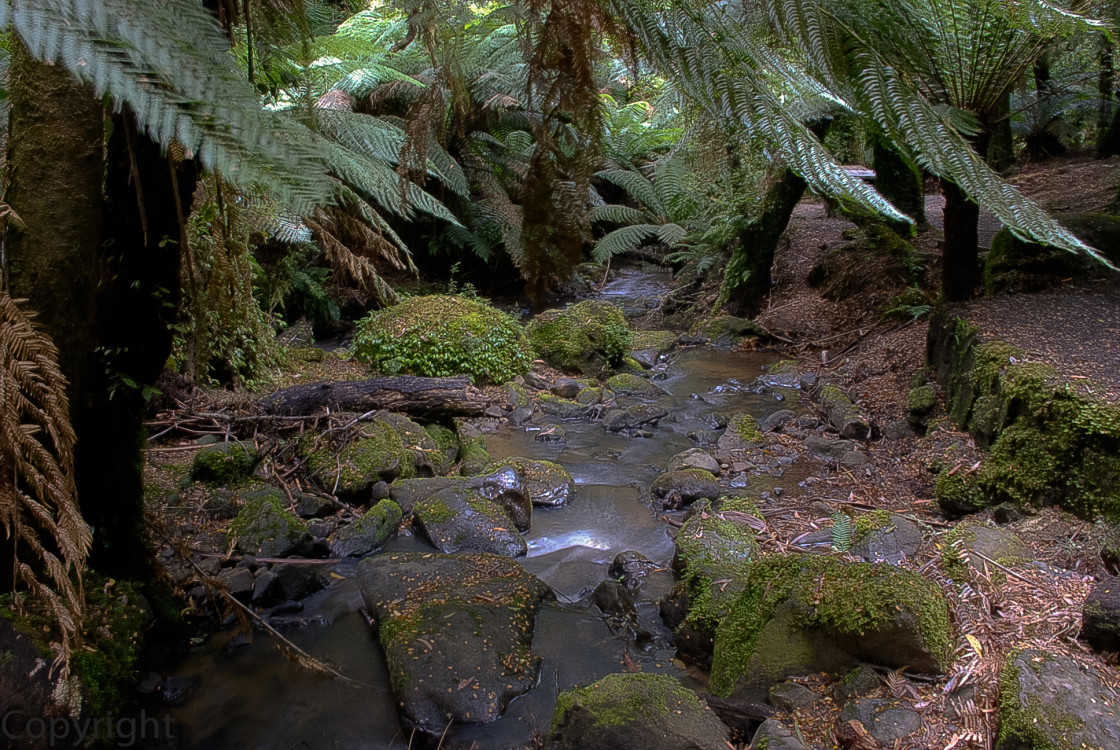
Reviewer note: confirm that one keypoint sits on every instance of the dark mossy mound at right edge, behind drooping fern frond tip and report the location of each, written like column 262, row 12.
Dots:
column 1018, row 266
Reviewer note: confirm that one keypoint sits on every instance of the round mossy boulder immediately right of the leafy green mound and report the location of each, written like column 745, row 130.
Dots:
column 589, row 339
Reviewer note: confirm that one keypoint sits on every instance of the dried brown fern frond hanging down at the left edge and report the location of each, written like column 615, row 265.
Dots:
column 39, row 500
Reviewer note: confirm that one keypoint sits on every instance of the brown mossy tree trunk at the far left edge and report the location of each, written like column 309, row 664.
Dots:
column 55, row 174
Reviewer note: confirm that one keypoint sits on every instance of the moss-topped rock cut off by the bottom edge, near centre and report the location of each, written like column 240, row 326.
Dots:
column 648, row 711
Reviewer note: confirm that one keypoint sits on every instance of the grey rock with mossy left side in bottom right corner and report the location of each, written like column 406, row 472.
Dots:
column 1048, row 701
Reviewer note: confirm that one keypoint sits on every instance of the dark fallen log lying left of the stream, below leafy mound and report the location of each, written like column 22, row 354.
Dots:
column 425, row 397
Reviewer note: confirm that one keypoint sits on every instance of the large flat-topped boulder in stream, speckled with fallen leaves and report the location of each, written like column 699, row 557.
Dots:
column 458, row 633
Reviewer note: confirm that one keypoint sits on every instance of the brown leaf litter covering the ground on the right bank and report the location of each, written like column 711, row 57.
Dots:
column 838, row 331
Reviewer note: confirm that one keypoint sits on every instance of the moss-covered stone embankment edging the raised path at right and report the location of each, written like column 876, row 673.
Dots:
column 1051, row 438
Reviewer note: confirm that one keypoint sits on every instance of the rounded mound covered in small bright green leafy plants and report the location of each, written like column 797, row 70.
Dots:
column 444, row 335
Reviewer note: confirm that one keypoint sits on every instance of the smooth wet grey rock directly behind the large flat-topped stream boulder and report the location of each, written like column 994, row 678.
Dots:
column 460, row 519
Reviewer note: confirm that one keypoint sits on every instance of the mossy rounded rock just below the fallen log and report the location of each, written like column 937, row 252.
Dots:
column 385, row 448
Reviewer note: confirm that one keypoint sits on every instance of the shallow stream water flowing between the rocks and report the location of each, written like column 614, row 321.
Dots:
column 255, row 698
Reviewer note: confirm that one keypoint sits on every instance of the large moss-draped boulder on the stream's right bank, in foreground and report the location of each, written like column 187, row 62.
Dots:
column 805, row 614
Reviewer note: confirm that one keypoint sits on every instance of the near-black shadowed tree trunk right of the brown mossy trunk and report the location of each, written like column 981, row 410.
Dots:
column 137, row 306
